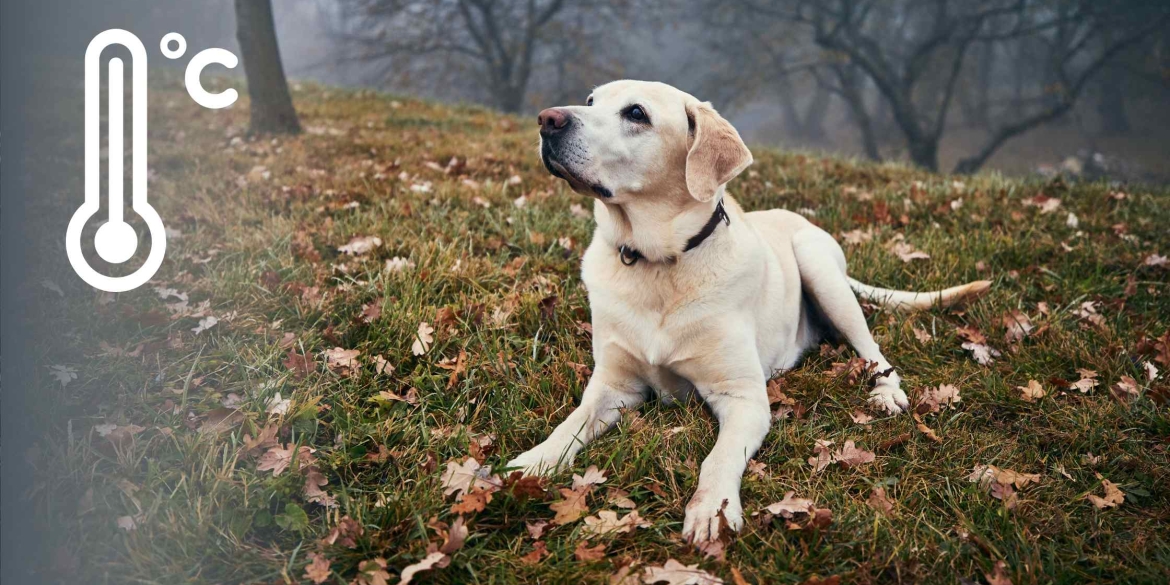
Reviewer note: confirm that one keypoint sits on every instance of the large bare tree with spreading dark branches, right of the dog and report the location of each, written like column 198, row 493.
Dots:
column 914, row 53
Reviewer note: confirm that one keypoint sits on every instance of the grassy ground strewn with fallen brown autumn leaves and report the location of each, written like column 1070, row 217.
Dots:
column 264, row 253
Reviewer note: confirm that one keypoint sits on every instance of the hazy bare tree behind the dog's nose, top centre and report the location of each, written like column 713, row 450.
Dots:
column 495, row 45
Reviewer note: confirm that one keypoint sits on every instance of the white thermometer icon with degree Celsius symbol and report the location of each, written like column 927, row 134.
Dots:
column 116, row 240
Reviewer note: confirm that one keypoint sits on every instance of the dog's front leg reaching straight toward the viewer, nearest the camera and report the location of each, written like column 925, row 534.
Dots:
column 741, row 407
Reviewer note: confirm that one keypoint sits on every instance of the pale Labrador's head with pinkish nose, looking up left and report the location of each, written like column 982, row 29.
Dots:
column 636, row 137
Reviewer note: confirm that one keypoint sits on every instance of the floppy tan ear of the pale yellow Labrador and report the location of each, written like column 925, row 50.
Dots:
column 717, row 155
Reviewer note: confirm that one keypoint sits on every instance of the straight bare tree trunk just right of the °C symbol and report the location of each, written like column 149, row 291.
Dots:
column 272, row 107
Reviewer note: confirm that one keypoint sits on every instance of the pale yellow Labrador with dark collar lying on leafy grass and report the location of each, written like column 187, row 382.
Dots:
column 692, row 295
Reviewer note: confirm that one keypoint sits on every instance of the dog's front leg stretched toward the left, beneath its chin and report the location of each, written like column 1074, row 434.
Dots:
column 608, row 393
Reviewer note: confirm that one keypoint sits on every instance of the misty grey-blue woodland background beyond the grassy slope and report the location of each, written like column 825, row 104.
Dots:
column 1075, row 87
